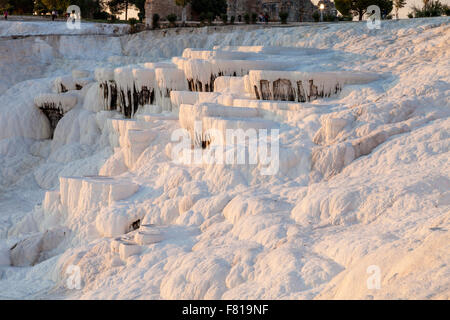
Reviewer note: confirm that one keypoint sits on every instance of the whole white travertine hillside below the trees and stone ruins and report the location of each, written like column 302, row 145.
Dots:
column 361, row 177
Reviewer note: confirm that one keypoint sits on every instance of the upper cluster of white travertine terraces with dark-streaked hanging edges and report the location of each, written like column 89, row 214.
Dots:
column 230, row 72
